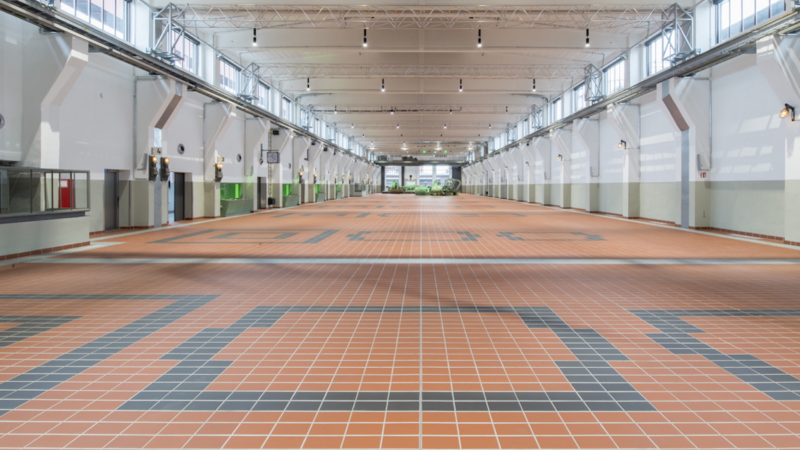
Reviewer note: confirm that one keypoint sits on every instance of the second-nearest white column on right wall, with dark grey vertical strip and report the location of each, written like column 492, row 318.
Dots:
column 687, row 102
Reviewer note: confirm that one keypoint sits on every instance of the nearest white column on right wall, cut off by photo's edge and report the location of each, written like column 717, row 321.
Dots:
column 779, row 61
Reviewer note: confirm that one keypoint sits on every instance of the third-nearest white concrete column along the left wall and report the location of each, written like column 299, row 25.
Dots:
column 218, row 119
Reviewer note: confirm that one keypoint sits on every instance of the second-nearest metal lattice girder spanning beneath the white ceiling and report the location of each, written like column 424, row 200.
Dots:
column 498, row 71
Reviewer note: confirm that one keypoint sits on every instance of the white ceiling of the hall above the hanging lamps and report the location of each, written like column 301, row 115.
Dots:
column 398, row 52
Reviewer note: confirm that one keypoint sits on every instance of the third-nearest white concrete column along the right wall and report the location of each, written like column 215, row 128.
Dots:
column 625, row 120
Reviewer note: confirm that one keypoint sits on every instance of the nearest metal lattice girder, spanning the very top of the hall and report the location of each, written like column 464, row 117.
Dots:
column 617, row 17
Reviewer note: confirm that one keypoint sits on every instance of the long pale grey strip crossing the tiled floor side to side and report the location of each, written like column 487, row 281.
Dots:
column 423, row 261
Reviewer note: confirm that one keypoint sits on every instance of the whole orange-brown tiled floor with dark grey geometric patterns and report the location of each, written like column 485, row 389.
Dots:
column 404, row 322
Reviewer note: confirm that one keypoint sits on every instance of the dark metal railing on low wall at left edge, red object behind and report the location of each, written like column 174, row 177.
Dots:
column 26, row 191
